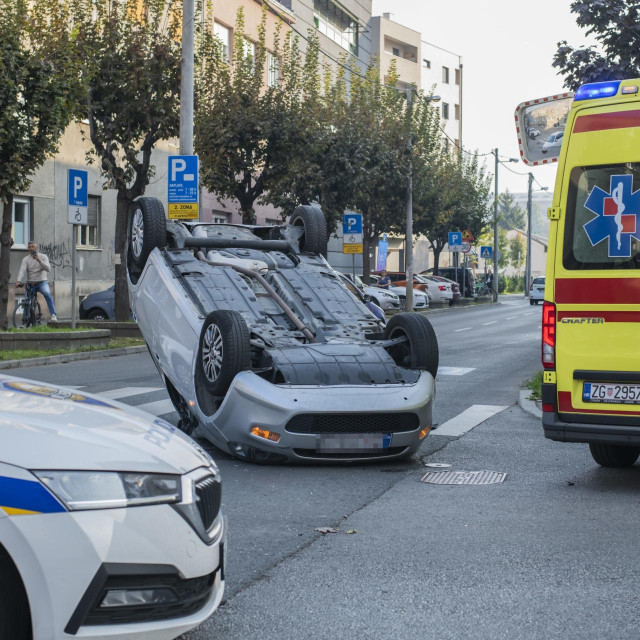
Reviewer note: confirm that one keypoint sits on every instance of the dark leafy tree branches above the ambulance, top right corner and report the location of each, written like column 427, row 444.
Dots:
column 615, row 24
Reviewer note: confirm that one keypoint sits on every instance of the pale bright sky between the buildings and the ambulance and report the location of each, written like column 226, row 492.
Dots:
column 507, row 48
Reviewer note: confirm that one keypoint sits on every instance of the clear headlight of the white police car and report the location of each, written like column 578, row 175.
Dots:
column 79, row 490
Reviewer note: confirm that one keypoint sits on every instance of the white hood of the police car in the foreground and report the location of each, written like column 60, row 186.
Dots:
column 48, row 427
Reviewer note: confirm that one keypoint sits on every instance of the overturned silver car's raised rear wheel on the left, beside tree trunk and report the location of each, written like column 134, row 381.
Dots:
column 147, row 230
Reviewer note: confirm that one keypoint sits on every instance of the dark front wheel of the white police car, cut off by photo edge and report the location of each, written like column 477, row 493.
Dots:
column 15, row 618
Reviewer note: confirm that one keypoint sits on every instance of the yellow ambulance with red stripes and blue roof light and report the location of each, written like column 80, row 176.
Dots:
column 591, row 309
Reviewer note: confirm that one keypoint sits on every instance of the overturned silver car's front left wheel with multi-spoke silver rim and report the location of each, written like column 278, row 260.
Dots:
column 224, row 351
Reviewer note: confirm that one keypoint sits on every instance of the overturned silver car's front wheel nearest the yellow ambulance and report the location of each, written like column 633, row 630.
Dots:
column 420, row 350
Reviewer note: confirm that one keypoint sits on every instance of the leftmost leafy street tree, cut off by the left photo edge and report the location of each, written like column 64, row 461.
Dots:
column 40, row 84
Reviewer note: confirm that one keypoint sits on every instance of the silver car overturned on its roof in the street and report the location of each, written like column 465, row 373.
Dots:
column 264, row 351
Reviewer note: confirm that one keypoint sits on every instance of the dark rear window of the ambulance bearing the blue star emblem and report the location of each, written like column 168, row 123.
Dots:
column 602, row 229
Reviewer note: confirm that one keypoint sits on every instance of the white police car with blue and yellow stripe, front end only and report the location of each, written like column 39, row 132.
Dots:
column 110, row 521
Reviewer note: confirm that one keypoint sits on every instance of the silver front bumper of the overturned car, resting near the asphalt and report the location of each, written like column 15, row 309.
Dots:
column 252, row 401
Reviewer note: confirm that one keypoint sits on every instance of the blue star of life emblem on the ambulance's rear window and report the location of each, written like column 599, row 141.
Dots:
column 617, row 216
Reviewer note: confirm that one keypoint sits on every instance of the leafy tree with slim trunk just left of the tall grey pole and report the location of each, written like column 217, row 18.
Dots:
column 132, row 58
